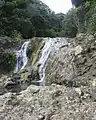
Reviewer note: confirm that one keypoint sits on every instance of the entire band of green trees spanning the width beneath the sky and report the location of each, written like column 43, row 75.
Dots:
column 33, row 18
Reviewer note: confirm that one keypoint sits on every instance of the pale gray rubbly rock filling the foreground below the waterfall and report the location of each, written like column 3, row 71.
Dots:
column 54, row 102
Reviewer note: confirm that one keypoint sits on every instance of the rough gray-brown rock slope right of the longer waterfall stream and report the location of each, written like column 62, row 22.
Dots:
column 74, row 65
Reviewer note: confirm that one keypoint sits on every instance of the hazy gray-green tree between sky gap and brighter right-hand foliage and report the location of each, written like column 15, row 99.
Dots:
column 69, row 26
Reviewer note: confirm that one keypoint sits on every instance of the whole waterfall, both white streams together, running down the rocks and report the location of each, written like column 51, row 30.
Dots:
column 52, row 45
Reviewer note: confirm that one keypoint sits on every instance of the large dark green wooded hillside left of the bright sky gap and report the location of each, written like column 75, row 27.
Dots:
column 30, row 18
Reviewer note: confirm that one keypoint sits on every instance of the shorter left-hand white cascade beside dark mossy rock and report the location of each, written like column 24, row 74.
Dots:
column 21, row 57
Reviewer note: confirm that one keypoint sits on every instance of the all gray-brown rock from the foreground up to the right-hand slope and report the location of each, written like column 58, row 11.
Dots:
column 70, row 85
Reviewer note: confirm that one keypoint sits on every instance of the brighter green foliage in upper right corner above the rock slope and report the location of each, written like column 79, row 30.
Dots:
column 87, row 17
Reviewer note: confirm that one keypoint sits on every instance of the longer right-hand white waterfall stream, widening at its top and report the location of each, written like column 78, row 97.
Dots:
column 51, row 46
